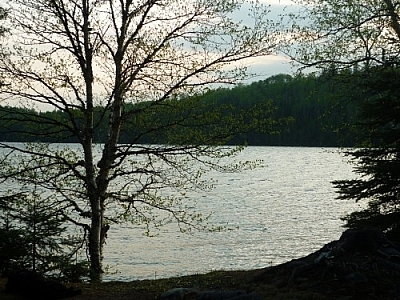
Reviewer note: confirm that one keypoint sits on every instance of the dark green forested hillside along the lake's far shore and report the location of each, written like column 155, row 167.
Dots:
column 316, row 111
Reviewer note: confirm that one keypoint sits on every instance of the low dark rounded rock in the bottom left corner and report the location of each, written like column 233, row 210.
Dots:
column 33, row 286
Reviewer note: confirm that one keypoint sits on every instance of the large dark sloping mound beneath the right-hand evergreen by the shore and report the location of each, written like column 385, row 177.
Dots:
column 362, row 264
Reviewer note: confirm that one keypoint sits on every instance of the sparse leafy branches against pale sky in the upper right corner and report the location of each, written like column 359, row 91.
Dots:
column 346, row 34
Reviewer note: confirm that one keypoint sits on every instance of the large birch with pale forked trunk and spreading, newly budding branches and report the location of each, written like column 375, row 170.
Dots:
column 91, row 62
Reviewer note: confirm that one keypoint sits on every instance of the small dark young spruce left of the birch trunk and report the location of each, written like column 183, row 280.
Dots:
column 34, row 237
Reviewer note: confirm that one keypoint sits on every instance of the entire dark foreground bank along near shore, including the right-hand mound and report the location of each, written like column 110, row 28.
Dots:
column 363, row 264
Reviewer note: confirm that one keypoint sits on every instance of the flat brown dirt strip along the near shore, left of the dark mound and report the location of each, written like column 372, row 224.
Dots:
column 268, row 288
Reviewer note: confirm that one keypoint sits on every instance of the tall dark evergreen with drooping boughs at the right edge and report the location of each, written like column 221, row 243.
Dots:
column 378, row 161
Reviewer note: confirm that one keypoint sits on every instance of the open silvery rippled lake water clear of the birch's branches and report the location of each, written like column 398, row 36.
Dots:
column 283, row 210
